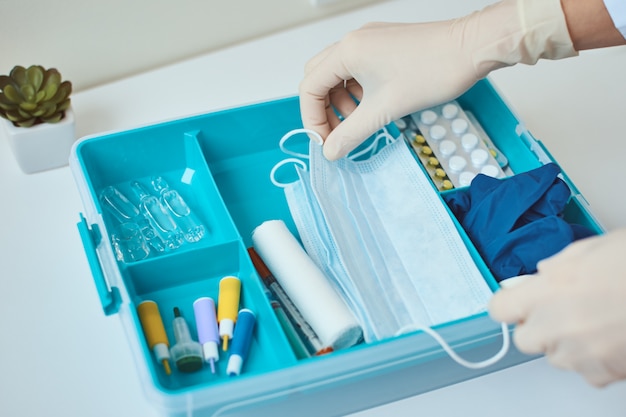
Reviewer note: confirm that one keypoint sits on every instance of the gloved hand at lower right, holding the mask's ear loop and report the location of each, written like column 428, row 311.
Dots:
column 573, row 309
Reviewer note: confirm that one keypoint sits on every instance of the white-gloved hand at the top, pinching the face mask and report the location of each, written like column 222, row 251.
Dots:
column 396, row 69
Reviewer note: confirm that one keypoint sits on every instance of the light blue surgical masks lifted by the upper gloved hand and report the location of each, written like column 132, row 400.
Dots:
column 375, row 225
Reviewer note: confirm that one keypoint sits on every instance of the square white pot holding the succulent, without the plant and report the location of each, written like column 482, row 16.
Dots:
column 44, row 146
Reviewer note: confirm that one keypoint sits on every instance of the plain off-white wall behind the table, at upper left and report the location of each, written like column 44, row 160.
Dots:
column 95, row 41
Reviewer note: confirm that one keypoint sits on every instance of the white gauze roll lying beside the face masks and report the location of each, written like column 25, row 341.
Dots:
column 306, row 285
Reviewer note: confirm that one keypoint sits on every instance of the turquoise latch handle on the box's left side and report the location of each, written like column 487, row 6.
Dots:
column 110, row 298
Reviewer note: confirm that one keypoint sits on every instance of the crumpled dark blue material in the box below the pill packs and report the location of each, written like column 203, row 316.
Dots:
column 518, row 221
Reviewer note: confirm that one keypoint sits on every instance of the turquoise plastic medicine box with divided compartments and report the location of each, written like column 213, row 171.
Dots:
column 220, row 163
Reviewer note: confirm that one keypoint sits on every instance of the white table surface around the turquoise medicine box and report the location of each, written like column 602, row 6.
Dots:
column 60, row 356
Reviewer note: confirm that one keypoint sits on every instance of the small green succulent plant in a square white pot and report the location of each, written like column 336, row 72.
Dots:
column 39, row 121
